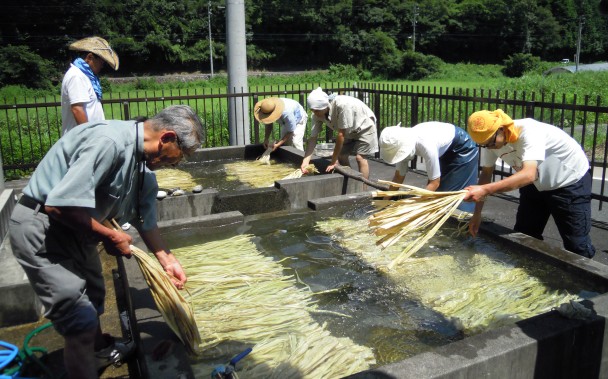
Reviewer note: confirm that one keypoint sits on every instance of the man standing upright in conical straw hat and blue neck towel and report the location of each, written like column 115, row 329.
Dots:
column 80, row 89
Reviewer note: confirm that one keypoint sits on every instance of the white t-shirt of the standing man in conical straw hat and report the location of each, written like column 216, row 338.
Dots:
column 77, row 88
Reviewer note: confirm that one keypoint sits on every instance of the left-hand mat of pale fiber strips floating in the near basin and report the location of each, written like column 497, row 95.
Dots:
column 242, row 299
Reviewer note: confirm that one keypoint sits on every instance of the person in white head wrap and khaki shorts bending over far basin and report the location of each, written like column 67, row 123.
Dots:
column 355, row 124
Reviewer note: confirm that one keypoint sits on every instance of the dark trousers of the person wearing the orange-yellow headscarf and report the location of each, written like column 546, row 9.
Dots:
column 570, row 207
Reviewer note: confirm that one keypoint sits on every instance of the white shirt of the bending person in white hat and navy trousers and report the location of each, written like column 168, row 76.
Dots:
column 432, row 141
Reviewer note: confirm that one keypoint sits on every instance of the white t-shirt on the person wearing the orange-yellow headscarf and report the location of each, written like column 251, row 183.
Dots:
column 561, row 160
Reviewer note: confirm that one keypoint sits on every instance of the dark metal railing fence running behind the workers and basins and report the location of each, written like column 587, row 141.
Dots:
column 28, row 130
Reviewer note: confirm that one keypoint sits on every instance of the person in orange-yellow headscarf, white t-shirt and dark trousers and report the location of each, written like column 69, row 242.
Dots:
column 552, row 174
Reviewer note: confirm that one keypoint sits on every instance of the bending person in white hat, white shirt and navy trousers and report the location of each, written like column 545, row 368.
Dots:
column 450, row 155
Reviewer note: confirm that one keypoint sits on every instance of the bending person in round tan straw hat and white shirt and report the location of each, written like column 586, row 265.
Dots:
column 291, row 117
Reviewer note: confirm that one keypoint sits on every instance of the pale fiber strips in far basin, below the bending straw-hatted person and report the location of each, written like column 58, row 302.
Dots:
column 257, row 174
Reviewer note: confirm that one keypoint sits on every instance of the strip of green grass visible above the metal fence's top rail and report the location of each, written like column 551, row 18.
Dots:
column 461, row 75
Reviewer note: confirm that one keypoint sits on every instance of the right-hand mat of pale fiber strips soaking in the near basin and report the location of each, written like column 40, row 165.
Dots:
column 475, row 291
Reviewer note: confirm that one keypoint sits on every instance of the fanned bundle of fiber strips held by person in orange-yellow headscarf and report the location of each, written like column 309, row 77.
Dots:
column 421, row 214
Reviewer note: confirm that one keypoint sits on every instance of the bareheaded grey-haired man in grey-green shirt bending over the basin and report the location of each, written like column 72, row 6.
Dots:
column 98, row 171
